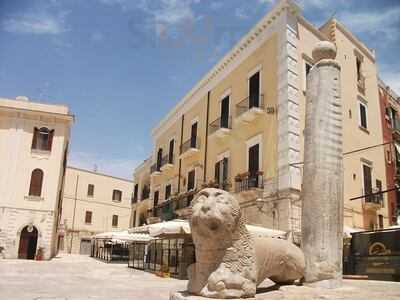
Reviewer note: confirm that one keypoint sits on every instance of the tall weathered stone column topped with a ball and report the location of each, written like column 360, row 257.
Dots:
column 322, row 206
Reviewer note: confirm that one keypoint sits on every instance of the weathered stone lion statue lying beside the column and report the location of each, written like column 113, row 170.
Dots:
column 230, row 262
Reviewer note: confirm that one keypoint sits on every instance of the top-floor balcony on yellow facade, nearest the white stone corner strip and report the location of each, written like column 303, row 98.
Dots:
column 247, row 111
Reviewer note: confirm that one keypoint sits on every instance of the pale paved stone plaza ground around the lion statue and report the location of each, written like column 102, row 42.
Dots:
column 81, row 277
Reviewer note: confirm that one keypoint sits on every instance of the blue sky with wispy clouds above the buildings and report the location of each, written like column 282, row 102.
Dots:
column 121, row 65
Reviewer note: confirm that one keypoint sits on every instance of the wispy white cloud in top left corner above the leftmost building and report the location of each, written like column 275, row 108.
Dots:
column 36, row 23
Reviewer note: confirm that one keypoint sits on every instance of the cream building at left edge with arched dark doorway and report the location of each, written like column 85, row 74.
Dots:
column 33, row 148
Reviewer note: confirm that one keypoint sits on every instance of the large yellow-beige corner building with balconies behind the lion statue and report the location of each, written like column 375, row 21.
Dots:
column 241, row 128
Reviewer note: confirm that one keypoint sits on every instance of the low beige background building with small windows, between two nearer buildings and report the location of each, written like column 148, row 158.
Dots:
column 92, row 203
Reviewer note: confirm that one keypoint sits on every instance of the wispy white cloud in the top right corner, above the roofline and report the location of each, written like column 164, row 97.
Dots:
column 373, row 22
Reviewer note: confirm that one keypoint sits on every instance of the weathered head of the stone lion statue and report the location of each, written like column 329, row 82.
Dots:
column 215, row 215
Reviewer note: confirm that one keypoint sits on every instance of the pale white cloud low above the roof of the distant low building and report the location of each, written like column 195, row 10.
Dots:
column 110, row 166
